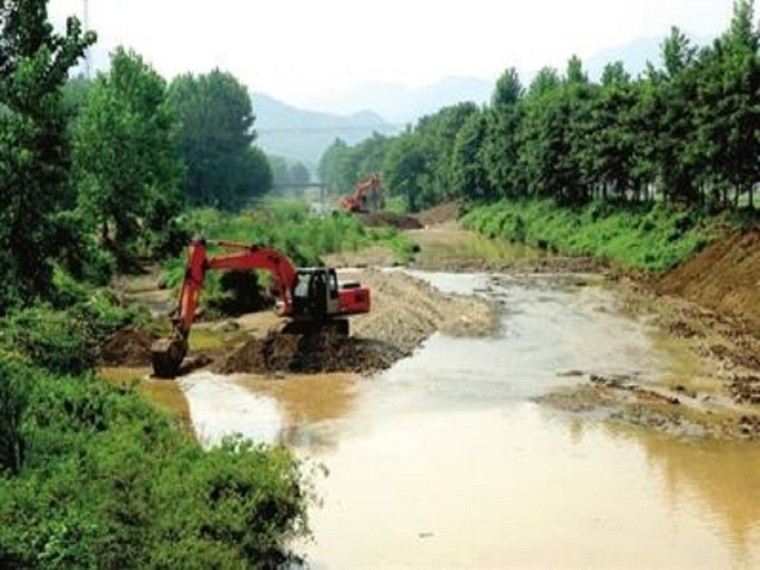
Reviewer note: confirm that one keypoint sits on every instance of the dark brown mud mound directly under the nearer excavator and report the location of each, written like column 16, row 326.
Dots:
column 325, row 352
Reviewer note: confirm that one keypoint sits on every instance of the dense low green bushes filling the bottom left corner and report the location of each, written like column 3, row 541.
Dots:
column 109, row 482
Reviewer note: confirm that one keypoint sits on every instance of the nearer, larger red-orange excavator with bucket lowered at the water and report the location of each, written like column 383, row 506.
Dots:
column 312, row 299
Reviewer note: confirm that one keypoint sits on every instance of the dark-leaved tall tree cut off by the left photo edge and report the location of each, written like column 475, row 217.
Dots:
column 34, row 153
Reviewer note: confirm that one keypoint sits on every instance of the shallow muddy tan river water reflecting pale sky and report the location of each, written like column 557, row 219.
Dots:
column 444, row 460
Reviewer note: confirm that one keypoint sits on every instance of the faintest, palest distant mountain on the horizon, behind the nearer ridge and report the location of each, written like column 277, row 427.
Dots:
column 402, row 105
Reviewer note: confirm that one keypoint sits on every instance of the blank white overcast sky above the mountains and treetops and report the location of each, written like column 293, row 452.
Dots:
column 299, row 50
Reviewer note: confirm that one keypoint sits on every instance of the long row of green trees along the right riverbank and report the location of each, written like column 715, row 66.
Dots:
column 684, row 131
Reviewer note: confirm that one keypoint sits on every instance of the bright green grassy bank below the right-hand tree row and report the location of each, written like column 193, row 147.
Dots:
column 648, row 237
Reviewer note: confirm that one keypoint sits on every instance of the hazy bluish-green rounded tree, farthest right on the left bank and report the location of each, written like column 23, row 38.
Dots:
column 216, row 117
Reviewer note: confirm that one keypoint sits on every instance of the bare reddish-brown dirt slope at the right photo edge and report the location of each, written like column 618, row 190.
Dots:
column 724, row 277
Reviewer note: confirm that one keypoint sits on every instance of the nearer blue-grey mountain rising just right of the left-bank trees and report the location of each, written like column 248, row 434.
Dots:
column 298, row 134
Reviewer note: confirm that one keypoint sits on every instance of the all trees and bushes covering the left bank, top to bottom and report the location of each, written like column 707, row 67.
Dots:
column 95, row 177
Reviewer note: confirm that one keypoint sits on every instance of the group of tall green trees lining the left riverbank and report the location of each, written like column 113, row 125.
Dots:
column 94, row 173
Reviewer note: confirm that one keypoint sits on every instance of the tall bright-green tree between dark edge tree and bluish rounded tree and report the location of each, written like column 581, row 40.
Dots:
column 126, row 154
